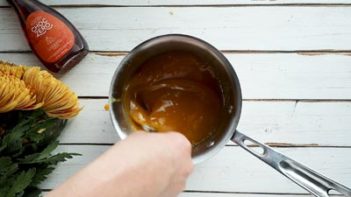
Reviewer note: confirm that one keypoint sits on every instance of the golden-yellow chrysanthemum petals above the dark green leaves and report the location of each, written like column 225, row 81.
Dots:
column 28, row 88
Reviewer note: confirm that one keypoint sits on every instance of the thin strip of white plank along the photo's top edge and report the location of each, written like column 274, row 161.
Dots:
column 184, row 2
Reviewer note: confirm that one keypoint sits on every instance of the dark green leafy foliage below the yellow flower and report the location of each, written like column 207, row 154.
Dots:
column 26, row 151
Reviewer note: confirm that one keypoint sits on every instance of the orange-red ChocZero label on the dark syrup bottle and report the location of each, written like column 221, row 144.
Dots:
column 49, row 36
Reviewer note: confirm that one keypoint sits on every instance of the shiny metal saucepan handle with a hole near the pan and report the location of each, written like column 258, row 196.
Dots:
column 310, row 180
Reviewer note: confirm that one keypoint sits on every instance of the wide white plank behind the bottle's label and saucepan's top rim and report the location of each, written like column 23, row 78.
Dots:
column 283, row 28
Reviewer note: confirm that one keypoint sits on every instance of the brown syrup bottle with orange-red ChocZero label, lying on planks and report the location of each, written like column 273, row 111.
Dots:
column 54, row 40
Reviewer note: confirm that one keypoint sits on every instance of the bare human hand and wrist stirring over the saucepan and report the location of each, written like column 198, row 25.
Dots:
column 145, row 164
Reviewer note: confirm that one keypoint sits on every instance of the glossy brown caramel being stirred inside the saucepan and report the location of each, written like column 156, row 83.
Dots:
column 175, row 91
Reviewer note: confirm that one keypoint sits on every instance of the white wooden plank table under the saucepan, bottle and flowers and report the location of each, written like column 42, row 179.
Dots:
column 293, row 59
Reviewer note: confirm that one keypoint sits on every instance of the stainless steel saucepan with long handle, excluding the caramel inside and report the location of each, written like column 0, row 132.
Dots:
column 300, row 174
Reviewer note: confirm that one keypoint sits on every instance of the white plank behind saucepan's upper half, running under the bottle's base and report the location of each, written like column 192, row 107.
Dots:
column 262, row 76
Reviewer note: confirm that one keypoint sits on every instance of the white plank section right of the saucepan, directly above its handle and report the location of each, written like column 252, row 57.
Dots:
column 303, row 123
